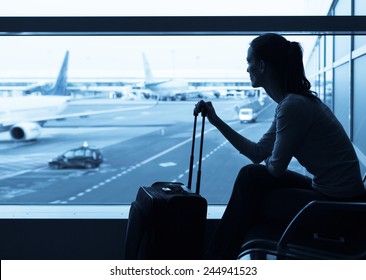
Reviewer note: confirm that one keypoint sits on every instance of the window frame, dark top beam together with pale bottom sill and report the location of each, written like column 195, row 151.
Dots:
column 160, row 26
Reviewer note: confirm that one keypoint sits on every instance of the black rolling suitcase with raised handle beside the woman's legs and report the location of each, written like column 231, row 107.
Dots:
column 167, row 220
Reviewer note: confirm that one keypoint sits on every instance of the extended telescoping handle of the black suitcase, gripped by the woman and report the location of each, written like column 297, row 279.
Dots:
column 198, row 182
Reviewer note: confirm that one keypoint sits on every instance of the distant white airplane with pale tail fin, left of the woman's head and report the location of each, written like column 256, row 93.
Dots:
column 171, row 89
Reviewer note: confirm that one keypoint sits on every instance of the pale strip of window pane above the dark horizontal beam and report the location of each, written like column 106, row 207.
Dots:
column 166, row 8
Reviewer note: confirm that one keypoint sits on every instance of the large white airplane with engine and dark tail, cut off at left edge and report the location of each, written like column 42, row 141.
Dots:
column 24, row 116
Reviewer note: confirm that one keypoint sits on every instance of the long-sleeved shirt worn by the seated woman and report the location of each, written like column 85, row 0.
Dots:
column 306, row 129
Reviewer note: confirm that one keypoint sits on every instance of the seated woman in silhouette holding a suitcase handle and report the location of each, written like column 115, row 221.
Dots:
column 304, row 128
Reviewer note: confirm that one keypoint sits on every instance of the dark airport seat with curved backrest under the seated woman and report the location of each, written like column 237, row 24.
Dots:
column 321, row 230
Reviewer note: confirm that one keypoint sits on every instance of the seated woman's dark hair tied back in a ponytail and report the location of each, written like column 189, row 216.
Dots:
column 285, row 59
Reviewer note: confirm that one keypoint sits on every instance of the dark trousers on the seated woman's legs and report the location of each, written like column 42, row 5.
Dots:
column 257, row 195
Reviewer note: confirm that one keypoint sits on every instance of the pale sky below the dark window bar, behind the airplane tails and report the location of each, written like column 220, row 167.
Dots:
column 121, row 56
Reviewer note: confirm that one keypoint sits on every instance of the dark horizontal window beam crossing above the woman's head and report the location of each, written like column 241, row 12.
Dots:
column 182, row 25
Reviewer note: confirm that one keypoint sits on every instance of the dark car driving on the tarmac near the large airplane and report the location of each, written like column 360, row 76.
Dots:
column 83, row 157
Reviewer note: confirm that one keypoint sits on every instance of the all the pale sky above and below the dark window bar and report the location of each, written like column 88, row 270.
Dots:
column 120, row 56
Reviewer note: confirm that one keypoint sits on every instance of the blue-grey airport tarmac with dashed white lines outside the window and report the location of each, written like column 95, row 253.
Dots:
column 139, row 147
